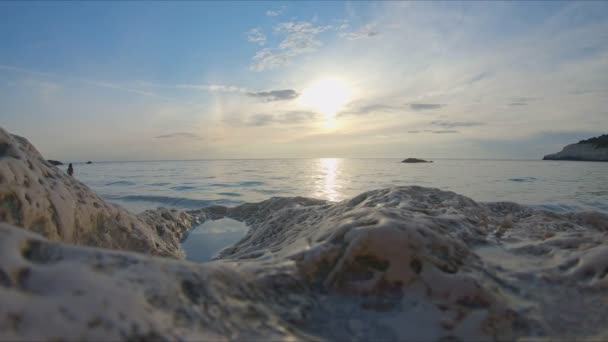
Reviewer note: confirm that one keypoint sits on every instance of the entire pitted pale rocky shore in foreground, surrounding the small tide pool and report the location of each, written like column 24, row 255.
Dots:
column 404, row 263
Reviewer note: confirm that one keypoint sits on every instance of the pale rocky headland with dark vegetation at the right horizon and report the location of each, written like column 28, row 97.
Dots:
column 593, row 149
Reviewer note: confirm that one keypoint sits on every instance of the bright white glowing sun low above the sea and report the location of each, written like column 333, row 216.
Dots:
column 326, row 96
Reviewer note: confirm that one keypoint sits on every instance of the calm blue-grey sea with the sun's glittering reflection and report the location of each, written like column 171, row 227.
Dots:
column 554, row 185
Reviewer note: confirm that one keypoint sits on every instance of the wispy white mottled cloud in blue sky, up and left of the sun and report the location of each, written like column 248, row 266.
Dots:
column 300, row 38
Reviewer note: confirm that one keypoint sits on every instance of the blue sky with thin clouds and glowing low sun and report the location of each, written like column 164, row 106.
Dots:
column 203, row 80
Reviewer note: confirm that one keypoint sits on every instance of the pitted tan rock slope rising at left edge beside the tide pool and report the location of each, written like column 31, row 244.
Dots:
column 40, row 197
